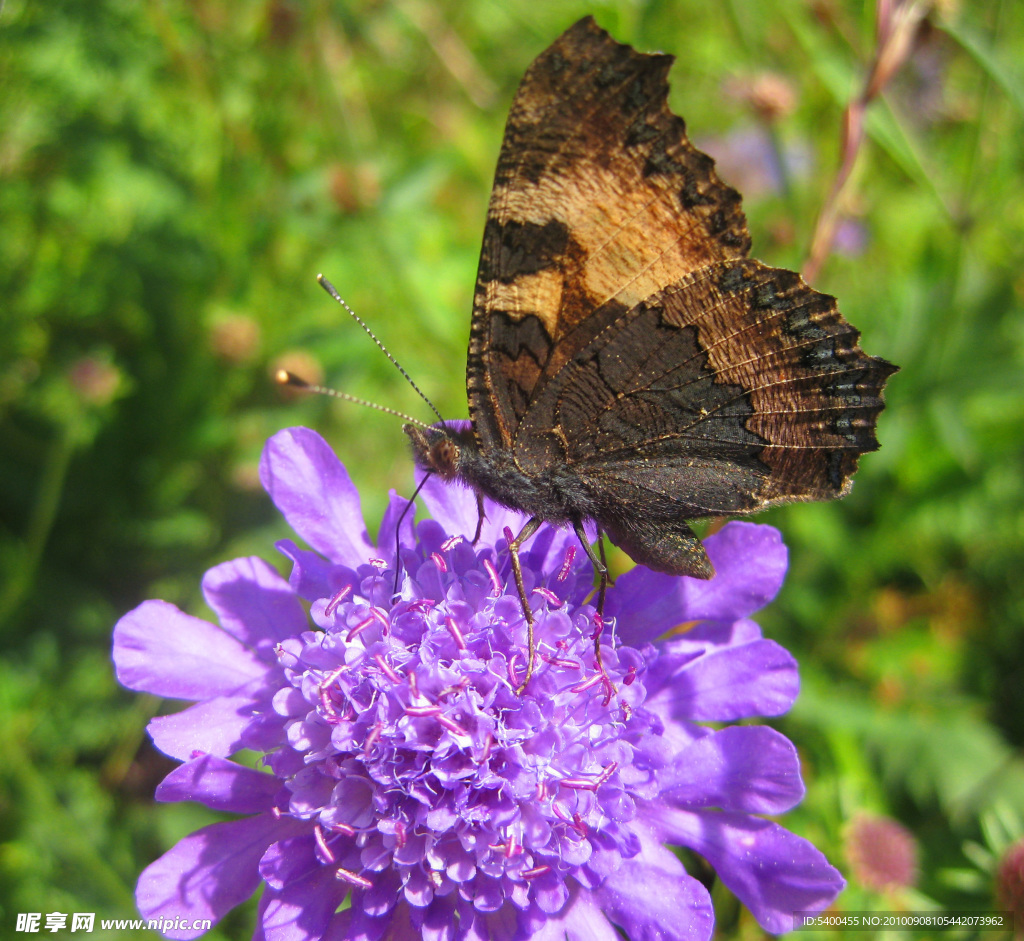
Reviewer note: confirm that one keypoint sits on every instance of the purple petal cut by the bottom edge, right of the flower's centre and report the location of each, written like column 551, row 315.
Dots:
column 652, row 899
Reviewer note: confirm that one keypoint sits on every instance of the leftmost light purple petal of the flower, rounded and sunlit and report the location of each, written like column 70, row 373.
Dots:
column 159, row 650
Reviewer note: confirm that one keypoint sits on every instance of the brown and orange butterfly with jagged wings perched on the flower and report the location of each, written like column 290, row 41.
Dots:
column 629, row 364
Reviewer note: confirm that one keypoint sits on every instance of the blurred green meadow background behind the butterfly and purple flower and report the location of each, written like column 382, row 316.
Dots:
column 175, row 175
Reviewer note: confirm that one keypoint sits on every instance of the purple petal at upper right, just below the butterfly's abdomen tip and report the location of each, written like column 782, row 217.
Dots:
column 750, row 563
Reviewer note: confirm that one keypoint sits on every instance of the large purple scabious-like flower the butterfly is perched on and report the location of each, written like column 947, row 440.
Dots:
column 412, row 793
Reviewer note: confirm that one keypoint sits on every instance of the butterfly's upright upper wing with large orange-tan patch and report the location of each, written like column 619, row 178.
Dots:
column 600, row 200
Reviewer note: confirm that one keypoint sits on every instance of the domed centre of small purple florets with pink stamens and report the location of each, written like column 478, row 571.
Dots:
column 419, row 758
